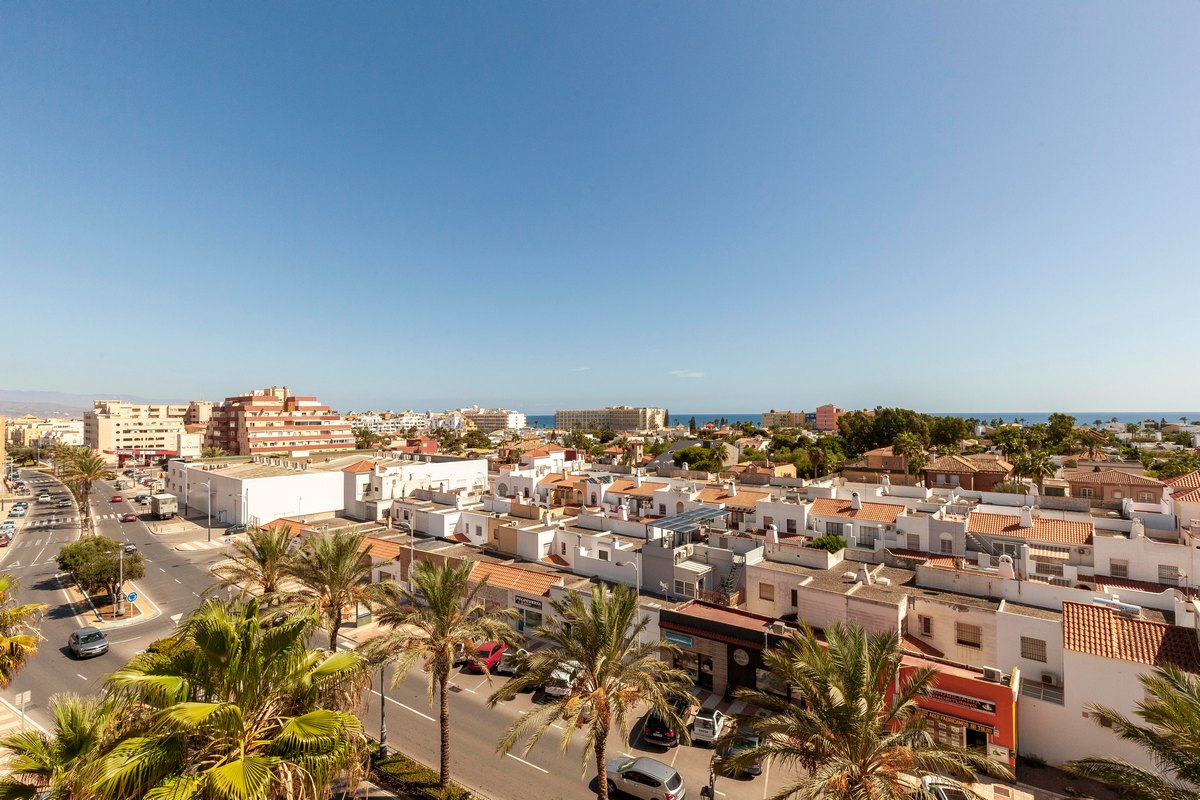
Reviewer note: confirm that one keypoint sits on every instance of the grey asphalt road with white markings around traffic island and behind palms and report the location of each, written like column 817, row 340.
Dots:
column 175, row 581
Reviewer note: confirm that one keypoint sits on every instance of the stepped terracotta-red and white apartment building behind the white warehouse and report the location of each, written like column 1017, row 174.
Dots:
column 274, row 422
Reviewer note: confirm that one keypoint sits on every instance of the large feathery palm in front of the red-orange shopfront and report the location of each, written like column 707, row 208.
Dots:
column 853, row 727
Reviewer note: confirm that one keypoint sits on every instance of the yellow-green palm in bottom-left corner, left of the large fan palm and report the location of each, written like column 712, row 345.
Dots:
column 63, row 765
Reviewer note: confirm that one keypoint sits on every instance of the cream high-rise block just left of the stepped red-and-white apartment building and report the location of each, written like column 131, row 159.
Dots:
column 141, row 431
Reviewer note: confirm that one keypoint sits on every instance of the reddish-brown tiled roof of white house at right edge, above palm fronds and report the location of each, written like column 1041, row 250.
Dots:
column 1101, row 631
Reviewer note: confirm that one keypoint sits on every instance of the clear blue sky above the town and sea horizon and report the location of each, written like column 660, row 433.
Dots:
column 711, row 207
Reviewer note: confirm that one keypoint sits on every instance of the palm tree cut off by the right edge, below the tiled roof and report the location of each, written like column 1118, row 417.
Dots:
column 1171, row 717
